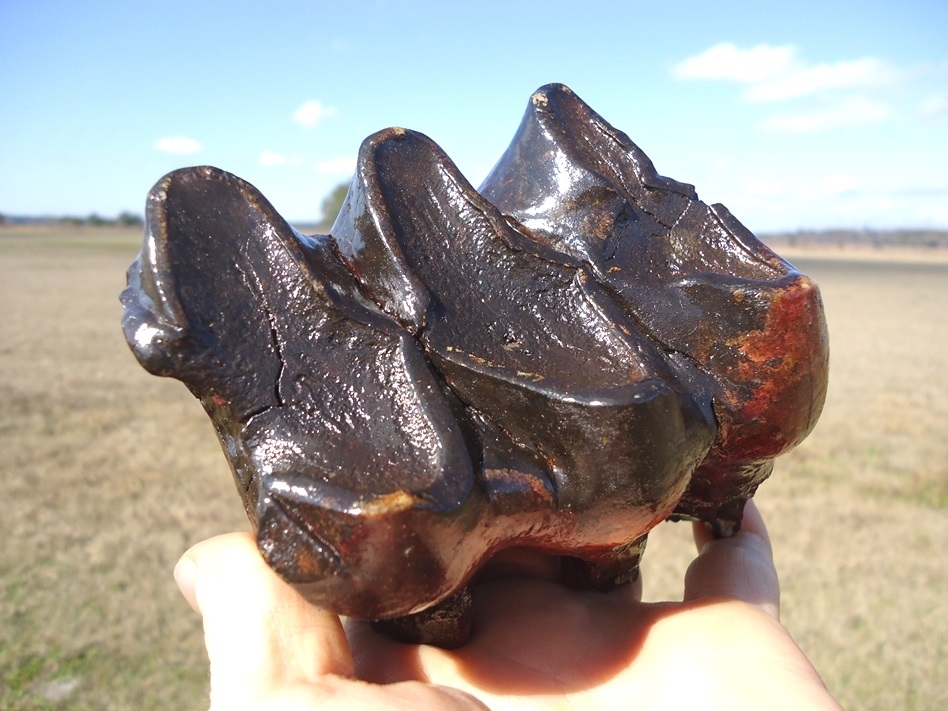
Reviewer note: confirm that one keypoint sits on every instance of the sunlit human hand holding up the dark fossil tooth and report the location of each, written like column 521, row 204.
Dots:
column 536, row 643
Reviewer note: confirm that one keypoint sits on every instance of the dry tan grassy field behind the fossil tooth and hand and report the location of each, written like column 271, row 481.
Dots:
column 109, row 474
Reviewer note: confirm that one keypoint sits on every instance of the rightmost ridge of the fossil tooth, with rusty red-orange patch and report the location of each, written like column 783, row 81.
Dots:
column 690, row 274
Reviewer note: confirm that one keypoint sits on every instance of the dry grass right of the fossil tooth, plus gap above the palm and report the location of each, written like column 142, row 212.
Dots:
column 858, row 512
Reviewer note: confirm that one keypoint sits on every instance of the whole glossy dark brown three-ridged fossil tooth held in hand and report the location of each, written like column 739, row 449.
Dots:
column 559, row 361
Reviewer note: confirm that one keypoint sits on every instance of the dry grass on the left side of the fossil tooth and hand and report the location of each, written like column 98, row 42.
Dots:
column 108, row 475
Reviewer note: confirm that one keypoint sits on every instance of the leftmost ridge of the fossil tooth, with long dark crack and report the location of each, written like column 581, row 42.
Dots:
column 336, row 427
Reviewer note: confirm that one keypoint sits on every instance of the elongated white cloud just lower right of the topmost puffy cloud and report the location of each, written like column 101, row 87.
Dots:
column 803, row 80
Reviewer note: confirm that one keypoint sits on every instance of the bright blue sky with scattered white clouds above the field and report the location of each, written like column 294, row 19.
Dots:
column 807, row 115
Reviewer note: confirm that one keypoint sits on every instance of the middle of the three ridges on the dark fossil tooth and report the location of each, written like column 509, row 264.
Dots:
column 525, row 336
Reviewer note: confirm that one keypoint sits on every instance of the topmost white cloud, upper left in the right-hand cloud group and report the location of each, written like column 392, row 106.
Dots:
column 728, row 62
